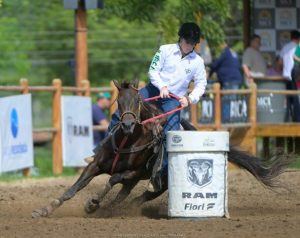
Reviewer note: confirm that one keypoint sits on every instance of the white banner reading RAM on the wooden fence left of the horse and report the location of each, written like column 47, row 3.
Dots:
column 77, row 130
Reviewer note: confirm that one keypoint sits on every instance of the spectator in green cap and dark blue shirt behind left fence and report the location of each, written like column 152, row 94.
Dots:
column 99, row 116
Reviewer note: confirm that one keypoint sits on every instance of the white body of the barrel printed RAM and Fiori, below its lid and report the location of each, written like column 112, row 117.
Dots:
column 197, row 184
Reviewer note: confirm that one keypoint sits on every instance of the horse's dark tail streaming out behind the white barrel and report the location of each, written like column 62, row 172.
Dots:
column 264, row 170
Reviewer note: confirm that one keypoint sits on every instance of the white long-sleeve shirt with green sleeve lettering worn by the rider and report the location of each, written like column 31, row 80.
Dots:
column 169, row 69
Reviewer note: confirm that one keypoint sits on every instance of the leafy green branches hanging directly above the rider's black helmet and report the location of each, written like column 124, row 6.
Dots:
column 209, row 14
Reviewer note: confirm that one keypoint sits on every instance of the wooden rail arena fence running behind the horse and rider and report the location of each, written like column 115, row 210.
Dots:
column 243, row 130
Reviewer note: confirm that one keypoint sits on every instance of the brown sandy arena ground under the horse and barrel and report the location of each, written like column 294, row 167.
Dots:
column 254, row 210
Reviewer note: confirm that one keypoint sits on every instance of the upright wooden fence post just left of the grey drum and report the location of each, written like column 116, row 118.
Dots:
column 253, row 113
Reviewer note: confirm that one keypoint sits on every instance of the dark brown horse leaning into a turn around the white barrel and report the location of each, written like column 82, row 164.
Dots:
column 130, row 150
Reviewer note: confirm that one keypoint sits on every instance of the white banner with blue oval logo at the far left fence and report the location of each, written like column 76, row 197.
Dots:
column 16, row 143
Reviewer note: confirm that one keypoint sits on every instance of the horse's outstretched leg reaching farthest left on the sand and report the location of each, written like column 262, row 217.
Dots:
column 87, row 175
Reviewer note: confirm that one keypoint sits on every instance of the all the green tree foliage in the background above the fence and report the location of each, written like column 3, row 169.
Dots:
column 37, row 39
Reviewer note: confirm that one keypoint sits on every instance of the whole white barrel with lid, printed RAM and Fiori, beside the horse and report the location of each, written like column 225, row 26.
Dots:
column 197, row 173
